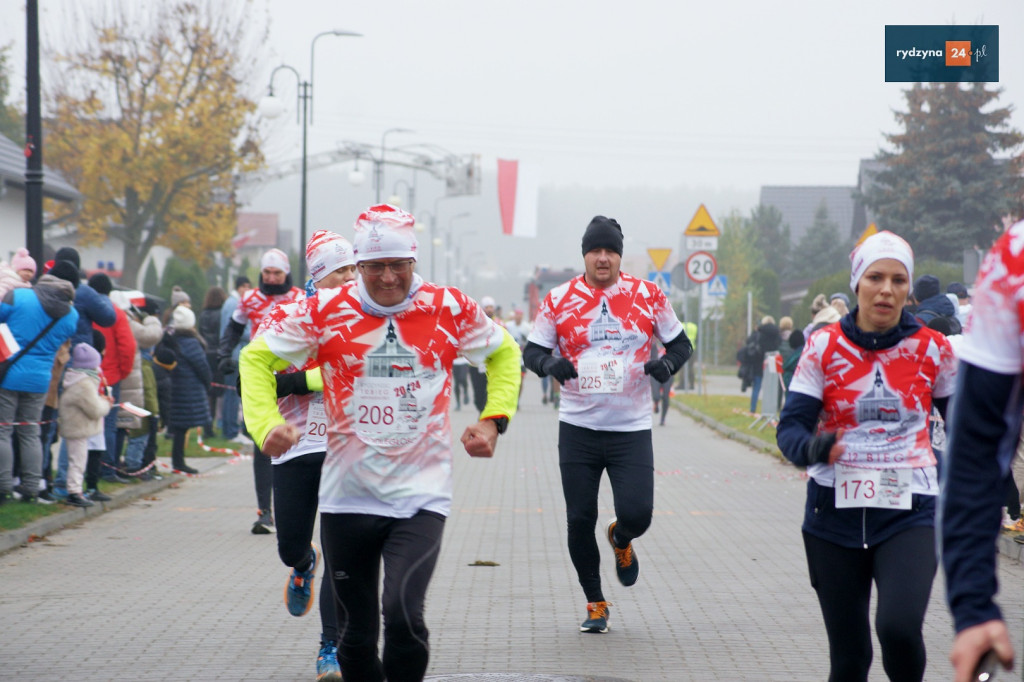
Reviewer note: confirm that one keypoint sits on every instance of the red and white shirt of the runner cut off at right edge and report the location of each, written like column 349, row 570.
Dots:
column 994, row 338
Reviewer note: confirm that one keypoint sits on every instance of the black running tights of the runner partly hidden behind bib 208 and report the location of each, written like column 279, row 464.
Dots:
column 296, row 495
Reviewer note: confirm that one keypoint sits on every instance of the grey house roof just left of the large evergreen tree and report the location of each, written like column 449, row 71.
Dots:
column 798, row 205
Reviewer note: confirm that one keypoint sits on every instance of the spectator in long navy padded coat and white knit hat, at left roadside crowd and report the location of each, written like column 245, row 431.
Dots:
column 190, row 383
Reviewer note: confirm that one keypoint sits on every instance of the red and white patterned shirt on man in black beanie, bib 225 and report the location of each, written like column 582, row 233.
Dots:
column 607, row 333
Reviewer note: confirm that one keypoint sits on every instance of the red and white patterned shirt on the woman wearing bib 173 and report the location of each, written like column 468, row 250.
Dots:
column 880, row 399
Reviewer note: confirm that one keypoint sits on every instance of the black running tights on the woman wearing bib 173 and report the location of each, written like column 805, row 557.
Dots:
column 903, row 569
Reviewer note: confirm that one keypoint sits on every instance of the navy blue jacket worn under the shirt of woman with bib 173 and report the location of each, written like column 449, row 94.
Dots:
column 797, row 427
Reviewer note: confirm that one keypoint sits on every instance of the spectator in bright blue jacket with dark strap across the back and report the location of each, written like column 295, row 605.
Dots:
column 28, row 314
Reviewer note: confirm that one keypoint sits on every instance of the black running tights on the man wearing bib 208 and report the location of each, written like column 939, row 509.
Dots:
column 355, row 546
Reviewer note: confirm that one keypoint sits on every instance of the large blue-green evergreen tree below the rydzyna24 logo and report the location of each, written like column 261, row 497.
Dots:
column 944, row 189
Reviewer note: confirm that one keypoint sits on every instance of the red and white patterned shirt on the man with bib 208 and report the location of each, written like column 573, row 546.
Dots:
column 387, row 392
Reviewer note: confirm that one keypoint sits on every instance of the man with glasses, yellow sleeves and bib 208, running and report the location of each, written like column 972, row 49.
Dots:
column 386, row 345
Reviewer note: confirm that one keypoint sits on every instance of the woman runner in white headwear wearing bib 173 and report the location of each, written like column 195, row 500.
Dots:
column 858, row 417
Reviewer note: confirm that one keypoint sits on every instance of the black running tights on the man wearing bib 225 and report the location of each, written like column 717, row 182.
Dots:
column 583, row 456
